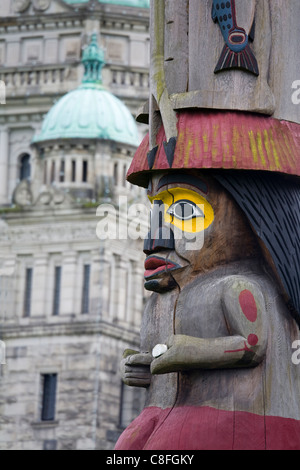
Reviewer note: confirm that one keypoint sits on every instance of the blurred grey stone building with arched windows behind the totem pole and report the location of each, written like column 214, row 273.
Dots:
column 70, row 301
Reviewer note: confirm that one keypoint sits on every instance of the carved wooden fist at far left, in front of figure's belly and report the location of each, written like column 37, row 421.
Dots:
column 135, row 368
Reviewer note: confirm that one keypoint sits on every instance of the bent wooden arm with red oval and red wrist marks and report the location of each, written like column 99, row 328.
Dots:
column 245, row 346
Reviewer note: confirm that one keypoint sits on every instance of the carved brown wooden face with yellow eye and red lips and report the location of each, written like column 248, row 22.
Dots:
column 195, row 226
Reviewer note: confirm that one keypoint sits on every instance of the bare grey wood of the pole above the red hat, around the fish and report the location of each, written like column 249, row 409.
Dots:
column 193, row 44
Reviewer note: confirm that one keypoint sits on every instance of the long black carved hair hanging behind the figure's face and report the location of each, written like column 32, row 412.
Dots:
column 272, row 205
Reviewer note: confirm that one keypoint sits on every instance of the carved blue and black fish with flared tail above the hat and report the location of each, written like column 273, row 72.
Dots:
column 236, row 52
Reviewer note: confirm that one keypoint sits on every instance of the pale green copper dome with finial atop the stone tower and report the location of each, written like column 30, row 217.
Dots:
column 90, row 111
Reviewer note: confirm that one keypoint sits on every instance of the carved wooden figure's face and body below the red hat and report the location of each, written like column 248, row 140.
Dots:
column 227, row 380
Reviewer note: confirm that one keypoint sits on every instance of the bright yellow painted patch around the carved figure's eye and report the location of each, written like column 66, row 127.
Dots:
column 185, row 209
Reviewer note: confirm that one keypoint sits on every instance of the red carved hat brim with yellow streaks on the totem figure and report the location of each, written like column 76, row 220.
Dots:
column 221, row 140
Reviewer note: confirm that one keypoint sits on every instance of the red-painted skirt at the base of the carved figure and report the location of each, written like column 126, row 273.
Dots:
column 231, row 431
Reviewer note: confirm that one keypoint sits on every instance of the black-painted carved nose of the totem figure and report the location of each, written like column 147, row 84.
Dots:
column 160, row 237
